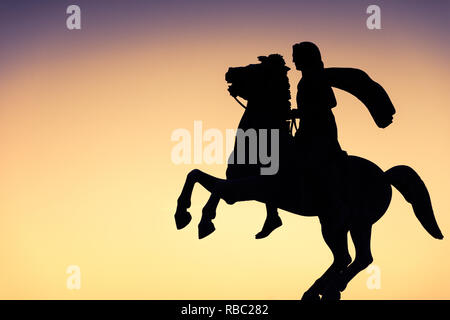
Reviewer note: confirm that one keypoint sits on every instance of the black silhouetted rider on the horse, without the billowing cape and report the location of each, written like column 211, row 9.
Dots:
column 316, row 141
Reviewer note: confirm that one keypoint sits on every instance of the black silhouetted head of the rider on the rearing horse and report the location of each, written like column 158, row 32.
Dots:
column 306, row 56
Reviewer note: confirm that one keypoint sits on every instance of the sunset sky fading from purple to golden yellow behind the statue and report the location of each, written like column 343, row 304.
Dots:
column 86, row 118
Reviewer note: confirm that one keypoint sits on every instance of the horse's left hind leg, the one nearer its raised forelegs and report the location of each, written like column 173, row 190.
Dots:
column 335, row 236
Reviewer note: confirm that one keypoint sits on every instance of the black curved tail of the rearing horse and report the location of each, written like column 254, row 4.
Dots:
column 413, row 189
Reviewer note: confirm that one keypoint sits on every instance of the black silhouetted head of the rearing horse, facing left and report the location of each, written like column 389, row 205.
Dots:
column 266, row 82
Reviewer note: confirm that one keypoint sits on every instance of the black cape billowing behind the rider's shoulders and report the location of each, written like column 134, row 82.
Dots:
column 369, row 92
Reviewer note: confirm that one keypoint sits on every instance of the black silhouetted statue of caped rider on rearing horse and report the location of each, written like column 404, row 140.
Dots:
column 315, row 176
